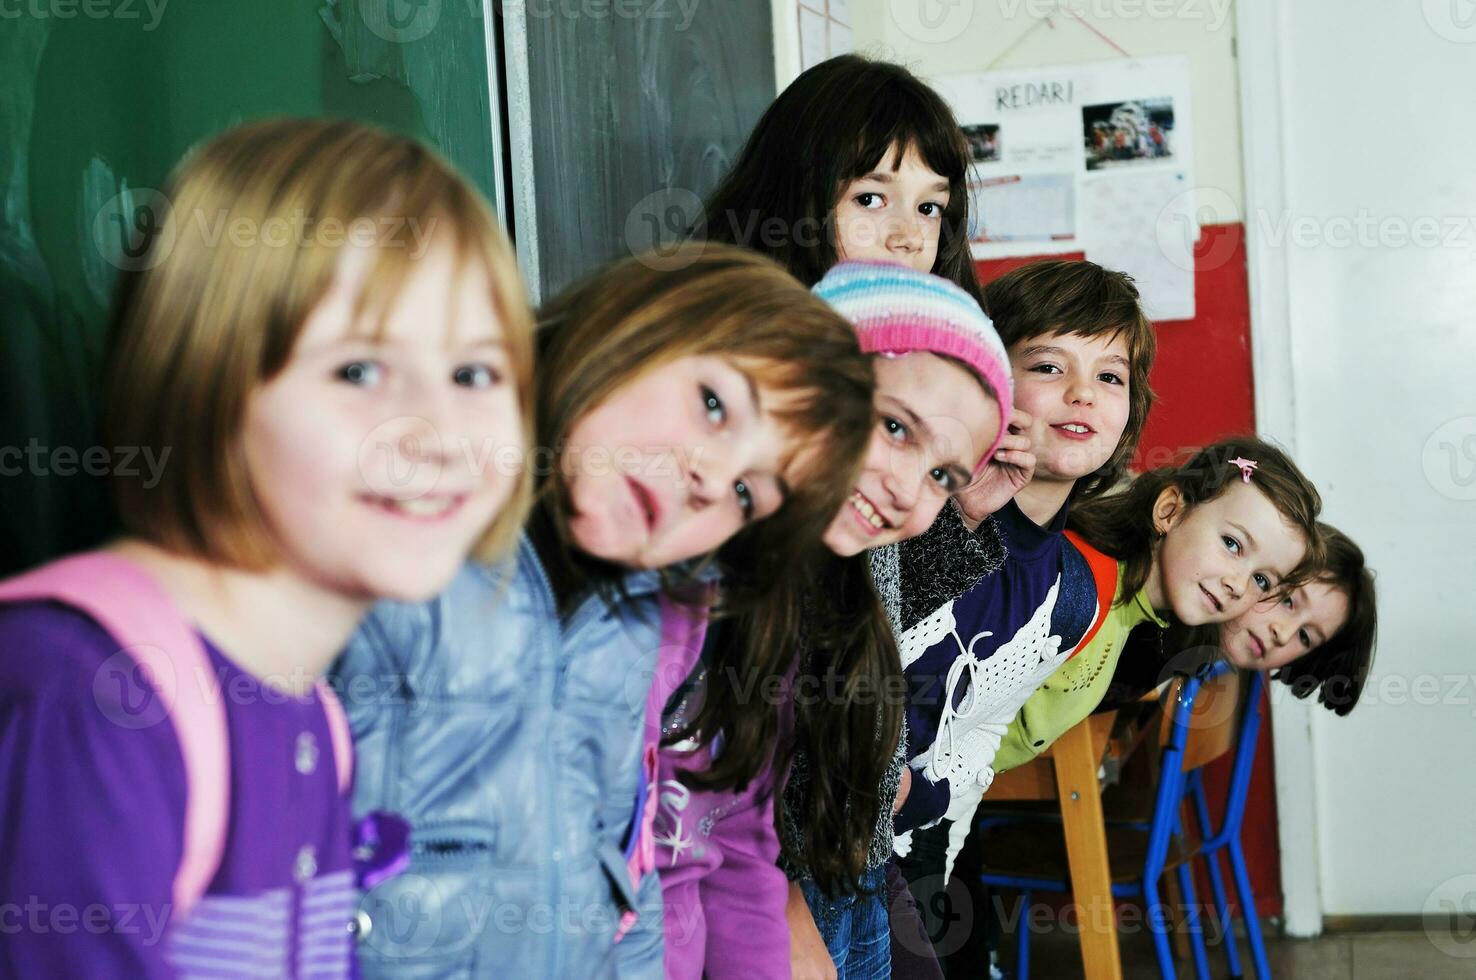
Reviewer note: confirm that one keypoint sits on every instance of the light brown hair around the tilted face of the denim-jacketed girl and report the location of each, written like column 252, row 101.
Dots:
column 640, row 314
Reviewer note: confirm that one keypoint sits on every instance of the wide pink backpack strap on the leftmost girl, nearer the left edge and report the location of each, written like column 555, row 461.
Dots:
column 137, row 612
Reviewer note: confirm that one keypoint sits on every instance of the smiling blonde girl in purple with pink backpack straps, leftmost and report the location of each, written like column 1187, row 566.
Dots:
column 175, row 773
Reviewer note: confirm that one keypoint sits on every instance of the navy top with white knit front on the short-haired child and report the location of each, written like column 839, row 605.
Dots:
column 973, row 660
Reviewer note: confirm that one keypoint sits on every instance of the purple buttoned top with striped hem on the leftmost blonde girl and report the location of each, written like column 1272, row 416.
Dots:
column 92, row 829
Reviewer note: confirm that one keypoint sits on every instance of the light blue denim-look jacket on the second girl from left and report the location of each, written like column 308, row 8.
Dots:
column 511, row 742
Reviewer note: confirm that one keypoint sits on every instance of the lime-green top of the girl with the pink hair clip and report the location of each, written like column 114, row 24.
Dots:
column 1078, row 686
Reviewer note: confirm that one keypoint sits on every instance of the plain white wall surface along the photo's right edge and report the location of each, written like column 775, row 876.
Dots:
column 1376, row 250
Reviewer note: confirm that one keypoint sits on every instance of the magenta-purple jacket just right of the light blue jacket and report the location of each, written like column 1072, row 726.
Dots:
column 717, row 852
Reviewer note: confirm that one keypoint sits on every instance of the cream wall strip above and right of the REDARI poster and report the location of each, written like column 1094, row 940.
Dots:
column 938, row 38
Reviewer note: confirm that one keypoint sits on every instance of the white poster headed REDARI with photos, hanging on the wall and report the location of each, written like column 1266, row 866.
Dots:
column 1084, row 159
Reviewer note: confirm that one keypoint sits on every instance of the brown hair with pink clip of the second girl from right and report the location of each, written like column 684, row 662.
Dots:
column 1121, row 525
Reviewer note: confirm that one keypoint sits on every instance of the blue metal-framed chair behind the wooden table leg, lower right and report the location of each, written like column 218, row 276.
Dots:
column 1021, row 846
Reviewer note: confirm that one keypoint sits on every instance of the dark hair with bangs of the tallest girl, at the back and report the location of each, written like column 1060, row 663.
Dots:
column 833, row 125
